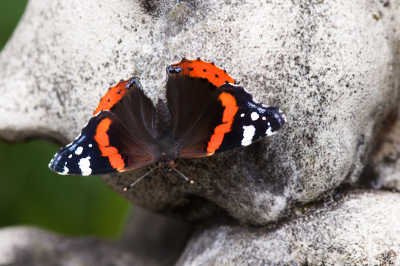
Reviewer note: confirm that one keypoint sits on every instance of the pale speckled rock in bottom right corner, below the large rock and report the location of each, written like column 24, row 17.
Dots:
column 361, row 229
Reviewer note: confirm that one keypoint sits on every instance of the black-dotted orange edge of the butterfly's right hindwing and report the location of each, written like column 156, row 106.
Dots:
column 201, row 69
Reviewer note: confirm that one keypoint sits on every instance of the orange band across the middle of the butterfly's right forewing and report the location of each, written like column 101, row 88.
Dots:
column 229, row 102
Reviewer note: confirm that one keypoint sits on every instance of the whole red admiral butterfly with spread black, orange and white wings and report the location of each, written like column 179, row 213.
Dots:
column 204, row 114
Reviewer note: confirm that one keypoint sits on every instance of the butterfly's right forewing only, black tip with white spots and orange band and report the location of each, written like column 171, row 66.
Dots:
column 231, row 120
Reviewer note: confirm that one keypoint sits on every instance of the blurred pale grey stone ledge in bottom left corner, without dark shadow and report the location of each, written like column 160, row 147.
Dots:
column 28, row 246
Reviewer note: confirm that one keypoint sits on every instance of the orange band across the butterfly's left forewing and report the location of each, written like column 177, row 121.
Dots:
column 102, row 139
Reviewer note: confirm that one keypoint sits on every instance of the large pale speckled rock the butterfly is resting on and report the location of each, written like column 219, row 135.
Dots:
column 332, row 66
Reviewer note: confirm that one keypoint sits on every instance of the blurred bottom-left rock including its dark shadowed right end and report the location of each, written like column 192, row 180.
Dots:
column 150, row 240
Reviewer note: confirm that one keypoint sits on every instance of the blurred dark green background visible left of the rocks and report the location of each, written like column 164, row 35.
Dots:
column 31, row 194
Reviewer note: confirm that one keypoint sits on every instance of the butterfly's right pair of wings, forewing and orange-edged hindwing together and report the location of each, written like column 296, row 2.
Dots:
column 210, row 115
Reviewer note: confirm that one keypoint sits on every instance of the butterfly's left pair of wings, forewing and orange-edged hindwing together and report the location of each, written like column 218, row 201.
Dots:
column 119, row 137
